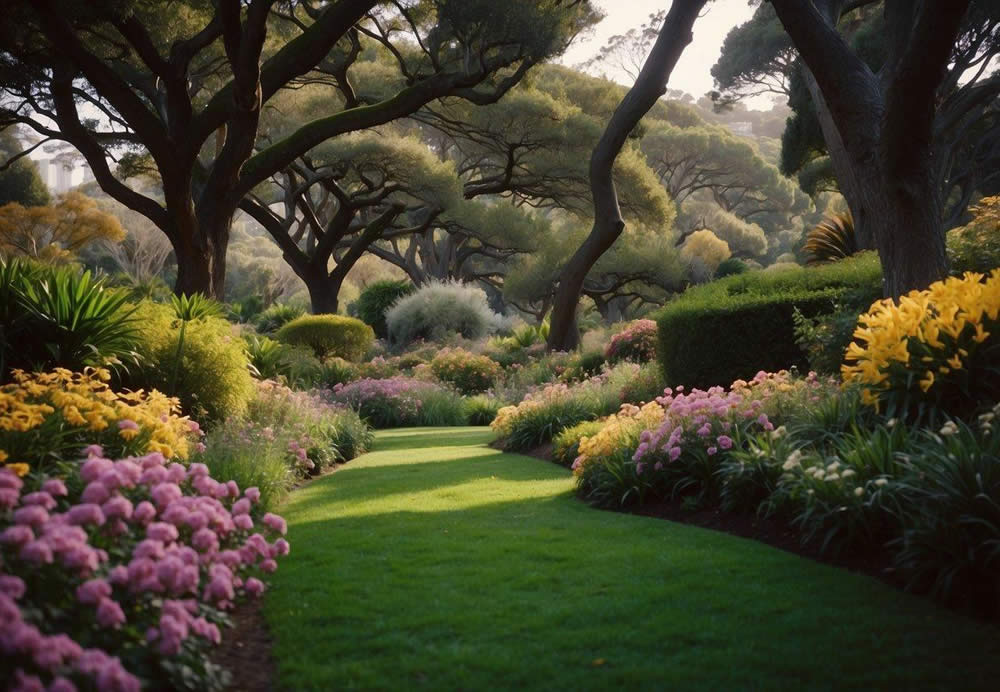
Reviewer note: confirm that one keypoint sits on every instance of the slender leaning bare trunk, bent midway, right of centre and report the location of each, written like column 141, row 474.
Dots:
column 649, row 86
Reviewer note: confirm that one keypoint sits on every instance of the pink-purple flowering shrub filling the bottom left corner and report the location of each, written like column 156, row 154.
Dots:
column 118, row 576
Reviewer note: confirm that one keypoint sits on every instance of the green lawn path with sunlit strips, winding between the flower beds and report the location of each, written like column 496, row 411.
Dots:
column 437, row 563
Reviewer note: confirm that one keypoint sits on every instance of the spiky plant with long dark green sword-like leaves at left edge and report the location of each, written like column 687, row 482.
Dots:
column 59, row 317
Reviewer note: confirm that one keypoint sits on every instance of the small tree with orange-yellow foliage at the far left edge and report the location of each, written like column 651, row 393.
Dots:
column 56, row 233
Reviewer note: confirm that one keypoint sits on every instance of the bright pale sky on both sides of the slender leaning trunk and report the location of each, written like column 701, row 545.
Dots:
column 692, row 72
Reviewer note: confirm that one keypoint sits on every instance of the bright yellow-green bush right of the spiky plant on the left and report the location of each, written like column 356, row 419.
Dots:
column 213, row 380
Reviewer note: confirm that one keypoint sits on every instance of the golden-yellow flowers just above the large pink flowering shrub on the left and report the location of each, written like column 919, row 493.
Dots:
column 49, row 417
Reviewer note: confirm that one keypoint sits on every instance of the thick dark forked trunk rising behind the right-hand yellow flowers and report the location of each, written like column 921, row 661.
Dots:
column 887, row 123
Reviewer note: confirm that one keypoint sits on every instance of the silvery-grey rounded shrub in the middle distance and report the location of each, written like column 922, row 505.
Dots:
column 439, row 310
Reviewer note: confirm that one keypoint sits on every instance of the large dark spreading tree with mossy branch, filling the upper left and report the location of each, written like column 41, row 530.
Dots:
column 179, row 87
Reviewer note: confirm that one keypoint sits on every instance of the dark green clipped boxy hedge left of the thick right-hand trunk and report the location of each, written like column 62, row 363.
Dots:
column 733, row 328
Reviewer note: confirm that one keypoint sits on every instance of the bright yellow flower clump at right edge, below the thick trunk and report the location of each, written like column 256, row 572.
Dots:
column 933, row 350
